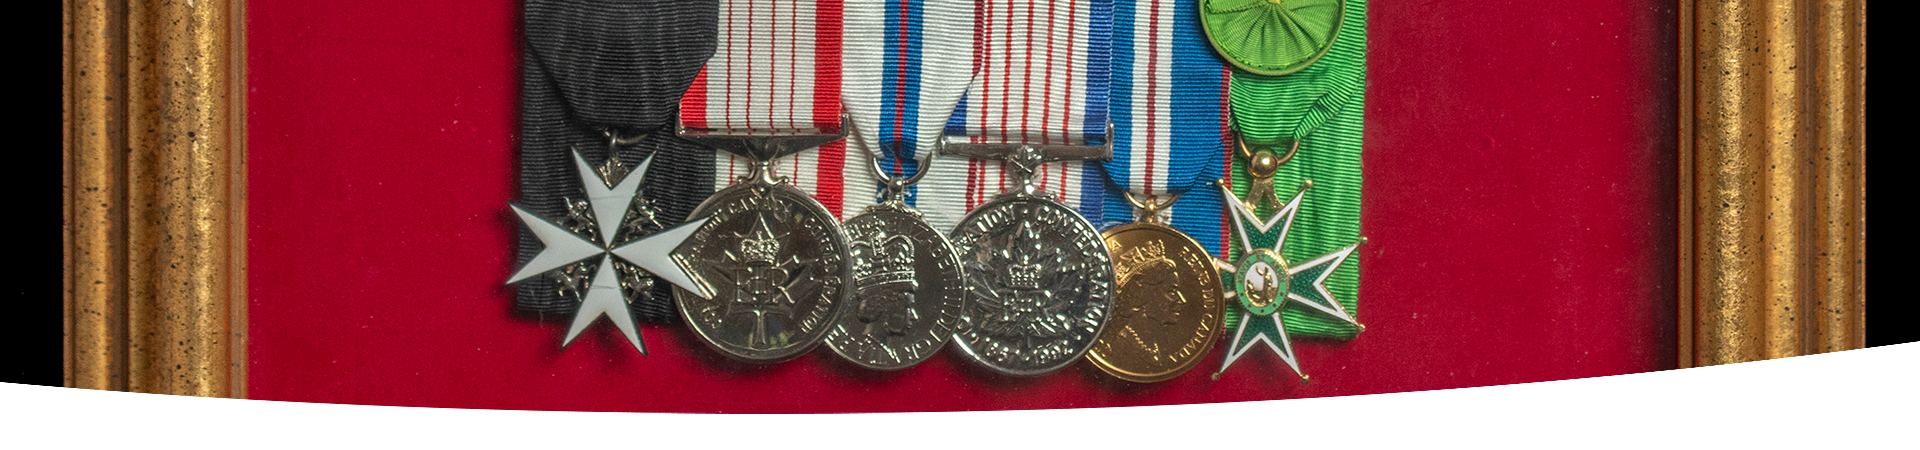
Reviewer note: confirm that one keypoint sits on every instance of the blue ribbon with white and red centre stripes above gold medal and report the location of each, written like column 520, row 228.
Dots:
column 1170, row 120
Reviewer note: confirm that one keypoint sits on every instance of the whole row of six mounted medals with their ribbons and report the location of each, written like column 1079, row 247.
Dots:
column 976, row 153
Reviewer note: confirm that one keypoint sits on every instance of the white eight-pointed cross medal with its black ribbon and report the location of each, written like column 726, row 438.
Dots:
column 598, row 232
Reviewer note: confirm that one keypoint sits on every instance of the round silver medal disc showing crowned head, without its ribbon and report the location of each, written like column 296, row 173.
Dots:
column 909, row 291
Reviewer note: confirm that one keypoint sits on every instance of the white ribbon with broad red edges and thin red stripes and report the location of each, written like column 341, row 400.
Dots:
column 777, row 66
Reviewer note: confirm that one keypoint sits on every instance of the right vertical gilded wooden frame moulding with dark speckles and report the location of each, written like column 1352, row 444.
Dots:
column 1773, row 170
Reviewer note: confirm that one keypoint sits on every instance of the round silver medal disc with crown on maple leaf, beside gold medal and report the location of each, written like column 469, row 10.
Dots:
column 1042, row 286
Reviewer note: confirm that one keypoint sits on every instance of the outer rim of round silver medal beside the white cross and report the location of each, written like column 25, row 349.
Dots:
column 846, row 272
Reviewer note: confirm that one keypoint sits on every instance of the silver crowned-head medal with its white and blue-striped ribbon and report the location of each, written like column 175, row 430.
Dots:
column 900, row 89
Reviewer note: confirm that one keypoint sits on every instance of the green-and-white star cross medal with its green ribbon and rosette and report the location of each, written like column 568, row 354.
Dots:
column 1297, row 114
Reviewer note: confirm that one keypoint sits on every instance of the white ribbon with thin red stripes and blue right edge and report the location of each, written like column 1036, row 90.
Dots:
column 1042, row 80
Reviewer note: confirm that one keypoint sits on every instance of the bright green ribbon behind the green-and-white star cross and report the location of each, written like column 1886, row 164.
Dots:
column 1322, row 107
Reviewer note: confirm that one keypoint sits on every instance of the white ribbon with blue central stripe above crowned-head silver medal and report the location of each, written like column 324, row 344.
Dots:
column 907, row 64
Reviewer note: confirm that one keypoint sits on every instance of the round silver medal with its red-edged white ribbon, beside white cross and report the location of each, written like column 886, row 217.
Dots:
column 773, row 261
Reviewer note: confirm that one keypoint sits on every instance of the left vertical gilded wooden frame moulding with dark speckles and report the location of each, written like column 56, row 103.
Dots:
column 156, row 197
